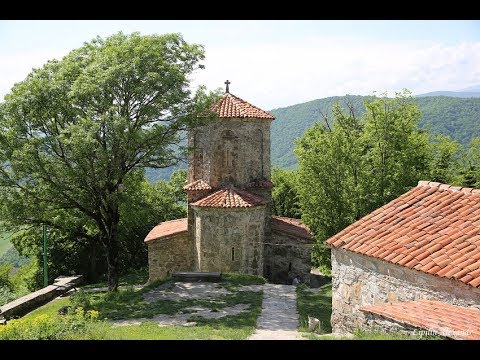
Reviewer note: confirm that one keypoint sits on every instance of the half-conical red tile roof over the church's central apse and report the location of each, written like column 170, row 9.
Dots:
column 230, row 198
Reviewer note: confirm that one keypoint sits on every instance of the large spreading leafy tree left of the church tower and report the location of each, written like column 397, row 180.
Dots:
column 76, row 132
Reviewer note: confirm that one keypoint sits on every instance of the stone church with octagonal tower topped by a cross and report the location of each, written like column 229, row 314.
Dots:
column 230, row 227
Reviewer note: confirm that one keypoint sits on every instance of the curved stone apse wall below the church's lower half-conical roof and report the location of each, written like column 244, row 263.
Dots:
column 229, row 239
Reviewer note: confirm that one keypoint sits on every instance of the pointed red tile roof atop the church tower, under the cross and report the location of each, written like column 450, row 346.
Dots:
column 231, row 106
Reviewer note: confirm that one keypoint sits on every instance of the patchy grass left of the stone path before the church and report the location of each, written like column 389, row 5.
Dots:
column 129, row 304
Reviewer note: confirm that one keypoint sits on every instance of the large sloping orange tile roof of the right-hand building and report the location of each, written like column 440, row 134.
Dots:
column 433, row 228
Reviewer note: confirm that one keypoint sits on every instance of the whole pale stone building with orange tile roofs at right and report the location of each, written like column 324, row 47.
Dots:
column 424, row 245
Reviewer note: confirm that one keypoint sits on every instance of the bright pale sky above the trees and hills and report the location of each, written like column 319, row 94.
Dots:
column 275, row 64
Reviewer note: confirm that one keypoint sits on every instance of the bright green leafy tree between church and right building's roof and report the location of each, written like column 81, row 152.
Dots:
column 358, row 164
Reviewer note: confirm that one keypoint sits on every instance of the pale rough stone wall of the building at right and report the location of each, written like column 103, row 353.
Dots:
column 359, row 280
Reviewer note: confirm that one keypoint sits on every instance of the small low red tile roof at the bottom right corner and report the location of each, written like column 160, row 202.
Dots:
column 447, row 320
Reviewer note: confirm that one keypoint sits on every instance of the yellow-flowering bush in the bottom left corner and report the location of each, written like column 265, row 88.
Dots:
column 49, row 327
